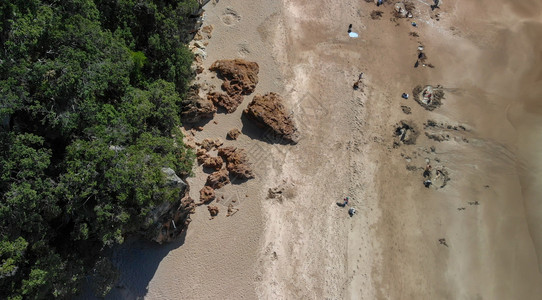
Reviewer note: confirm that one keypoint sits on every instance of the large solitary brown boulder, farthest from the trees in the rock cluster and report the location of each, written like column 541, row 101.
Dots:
column 269, row 112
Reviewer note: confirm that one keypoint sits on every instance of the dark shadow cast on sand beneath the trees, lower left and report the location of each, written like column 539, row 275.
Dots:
column 137, row 261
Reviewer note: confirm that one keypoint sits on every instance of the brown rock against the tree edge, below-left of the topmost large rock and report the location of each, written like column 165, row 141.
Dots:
column 196, row 108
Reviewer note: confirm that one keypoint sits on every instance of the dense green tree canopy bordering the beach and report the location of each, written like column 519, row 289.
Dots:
column 90, row 93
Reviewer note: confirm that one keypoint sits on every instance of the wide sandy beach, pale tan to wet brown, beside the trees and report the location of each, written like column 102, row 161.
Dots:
column 475, row 236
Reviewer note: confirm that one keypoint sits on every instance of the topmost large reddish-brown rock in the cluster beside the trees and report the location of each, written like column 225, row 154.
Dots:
column 240, row 76
